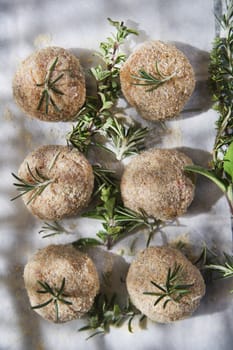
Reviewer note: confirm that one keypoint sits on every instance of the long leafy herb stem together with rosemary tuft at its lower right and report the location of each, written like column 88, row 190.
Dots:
column 97, row 117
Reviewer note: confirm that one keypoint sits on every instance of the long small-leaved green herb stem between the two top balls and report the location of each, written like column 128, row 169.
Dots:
column 96, row 116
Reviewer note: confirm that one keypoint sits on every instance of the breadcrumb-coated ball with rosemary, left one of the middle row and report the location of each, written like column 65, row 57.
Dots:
column 62, row 181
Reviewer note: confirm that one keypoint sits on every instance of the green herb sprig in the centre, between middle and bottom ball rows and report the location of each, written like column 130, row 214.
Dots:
column 118, row 221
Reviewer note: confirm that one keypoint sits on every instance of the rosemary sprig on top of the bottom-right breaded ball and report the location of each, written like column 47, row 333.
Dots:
column 173, row 289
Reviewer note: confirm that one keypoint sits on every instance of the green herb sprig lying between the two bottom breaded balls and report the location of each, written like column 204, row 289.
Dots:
column 106, row 312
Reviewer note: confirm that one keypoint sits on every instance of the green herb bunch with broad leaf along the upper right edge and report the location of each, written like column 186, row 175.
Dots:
column 221, row 79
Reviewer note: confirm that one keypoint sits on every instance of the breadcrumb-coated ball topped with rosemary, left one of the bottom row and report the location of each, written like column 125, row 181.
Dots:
column 61, row 283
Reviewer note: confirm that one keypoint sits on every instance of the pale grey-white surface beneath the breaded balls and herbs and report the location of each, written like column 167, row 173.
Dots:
column 26, row 25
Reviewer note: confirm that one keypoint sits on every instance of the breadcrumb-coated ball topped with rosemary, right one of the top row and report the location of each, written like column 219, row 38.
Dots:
column 157, row 79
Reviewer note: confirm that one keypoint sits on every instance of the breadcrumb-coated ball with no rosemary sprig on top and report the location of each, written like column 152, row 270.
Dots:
column 155, row 182
